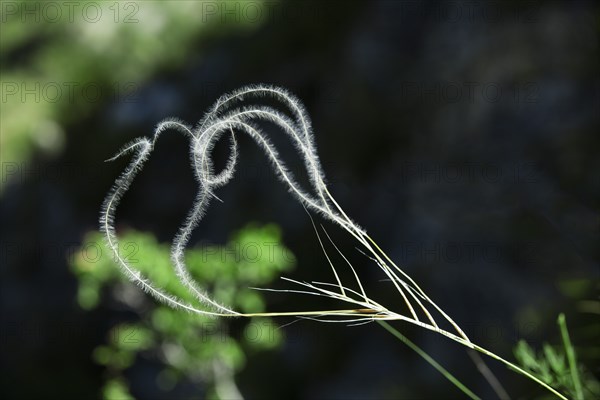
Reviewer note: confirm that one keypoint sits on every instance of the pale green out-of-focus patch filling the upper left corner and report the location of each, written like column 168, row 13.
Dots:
column 60, row 61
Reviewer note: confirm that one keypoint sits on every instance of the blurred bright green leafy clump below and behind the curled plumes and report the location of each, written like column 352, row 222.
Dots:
column 197, row 348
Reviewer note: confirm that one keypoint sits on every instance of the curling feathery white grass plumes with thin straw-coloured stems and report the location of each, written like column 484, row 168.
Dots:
column 228, row 116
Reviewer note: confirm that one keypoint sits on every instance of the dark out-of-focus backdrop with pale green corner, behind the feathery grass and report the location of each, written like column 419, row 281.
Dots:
column 463, row 136
